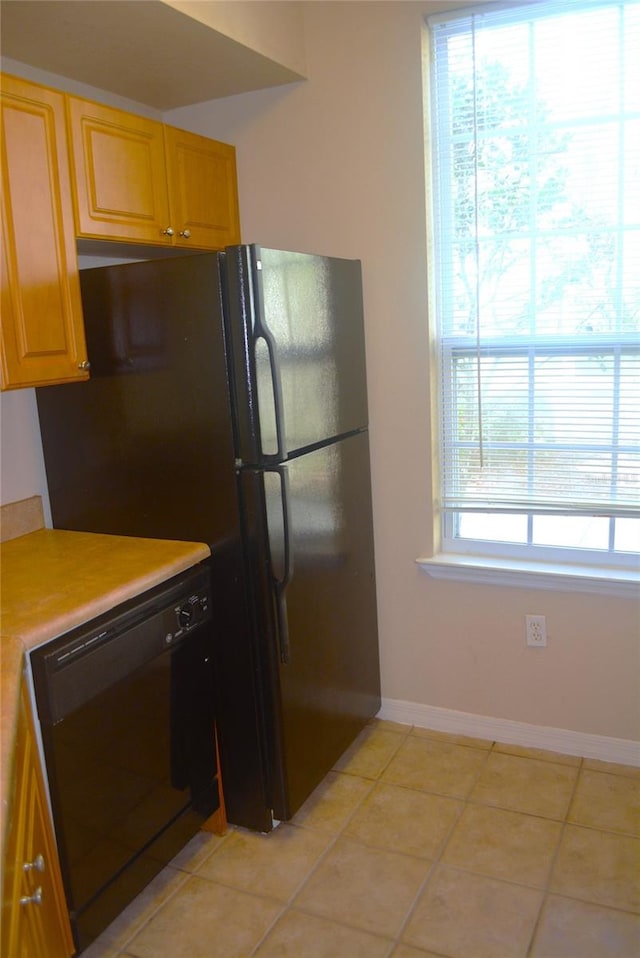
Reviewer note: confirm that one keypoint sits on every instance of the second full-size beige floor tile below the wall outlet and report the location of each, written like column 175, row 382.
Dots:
column 503, row 844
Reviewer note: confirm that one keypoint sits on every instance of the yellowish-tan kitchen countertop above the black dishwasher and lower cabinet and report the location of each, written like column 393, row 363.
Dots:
column 54, row 580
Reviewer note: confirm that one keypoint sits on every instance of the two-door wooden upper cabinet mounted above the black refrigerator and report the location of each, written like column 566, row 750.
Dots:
column 139, row 181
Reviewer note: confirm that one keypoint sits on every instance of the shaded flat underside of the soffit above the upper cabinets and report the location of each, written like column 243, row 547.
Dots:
column 140, row 49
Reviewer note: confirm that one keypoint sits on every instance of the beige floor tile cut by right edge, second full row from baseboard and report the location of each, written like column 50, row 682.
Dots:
column 599, row 867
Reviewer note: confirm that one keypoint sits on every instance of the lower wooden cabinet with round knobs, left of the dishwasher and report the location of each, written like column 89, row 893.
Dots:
column 34, row 914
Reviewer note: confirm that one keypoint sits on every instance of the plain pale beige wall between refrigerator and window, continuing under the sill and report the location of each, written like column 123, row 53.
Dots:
column 334, row 165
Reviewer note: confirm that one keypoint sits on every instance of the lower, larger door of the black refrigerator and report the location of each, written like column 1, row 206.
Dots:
column 328, row 685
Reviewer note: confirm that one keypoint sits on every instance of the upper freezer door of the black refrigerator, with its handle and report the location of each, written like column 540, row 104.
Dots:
column 295, row 324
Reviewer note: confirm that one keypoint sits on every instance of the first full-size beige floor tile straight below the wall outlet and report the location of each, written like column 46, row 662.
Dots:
column 526, row 785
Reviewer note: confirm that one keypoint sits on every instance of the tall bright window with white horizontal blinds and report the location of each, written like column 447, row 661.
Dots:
column 536, row 128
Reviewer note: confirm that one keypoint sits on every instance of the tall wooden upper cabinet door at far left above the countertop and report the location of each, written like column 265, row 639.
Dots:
column 42, row 329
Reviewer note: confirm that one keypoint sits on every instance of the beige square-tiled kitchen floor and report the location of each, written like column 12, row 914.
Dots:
column 418, row 844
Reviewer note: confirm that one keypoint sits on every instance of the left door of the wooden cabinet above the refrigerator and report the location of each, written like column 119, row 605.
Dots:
column 119, row 175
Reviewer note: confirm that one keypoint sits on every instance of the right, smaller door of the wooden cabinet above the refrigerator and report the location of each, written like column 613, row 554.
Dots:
column 203, row 193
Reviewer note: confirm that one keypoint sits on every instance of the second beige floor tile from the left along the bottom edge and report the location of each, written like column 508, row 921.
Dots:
column 206, row 920
